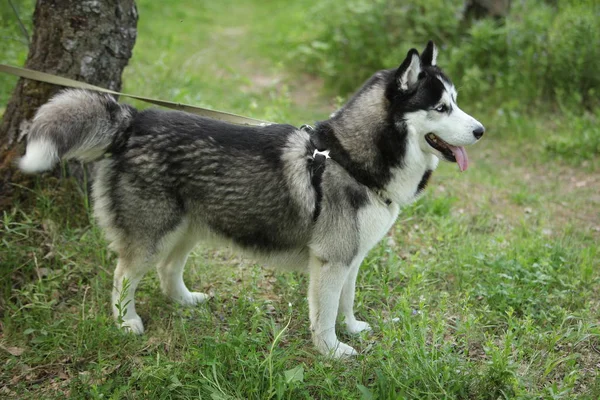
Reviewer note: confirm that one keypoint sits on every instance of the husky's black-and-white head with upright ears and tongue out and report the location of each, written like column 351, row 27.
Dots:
column 423, row 100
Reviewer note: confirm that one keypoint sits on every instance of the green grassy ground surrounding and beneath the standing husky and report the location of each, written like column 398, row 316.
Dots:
column 486, row 288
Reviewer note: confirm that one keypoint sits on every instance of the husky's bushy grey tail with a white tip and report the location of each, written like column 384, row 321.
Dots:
column 76, row 124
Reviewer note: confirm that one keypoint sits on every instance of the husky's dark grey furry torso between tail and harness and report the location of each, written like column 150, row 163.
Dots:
column 227, row 179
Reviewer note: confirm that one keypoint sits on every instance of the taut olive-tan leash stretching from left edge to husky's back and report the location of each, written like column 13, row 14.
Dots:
column 61, row 81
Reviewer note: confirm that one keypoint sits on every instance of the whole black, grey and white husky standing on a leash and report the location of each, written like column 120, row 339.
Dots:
column 315, row 200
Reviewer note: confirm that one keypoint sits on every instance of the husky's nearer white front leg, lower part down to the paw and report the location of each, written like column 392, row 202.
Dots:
column 324, row 290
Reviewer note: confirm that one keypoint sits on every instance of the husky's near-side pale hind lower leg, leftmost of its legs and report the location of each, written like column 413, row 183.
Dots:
column 128, row 274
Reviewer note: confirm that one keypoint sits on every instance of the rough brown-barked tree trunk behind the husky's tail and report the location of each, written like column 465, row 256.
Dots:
column 85, row 40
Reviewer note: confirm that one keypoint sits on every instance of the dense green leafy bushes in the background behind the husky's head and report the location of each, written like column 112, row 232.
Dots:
column 541, row 51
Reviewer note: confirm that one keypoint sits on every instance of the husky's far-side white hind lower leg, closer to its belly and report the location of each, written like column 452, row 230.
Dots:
column 170, row 272
